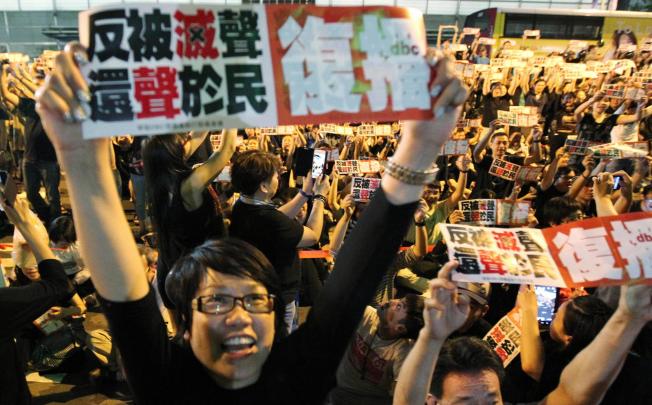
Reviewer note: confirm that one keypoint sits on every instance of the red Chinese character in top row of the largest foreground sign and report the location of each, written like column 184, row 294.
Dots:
column 197, row 34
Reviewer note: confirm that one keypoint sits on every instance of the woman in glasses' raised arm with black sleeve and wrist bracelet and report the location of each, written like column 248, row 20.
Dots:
column 371, row 247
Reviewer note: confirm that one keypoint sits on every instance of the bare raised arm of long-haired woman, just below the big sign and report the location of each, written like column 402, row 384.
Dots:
column 192, row 188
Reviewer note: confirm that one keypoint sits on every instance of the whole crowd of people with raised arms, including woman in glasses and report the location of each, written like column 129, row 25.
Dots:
column 204, row 294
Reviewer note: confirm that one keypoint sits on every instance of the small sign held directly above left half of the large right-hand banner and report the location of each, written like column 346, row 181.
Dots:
column 490, row 212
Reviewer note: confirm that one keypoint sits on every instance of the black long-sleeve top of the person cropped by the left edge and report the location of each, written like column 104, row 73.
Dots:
column 19, row 306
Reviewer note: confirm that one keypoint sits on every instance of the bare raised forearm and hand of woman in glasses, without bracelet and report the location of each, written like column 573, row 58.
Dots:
column 99, row 219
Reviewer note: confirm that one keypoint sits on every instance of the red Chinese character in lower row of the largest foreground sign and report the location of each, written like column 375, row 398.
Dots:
column 156, row 90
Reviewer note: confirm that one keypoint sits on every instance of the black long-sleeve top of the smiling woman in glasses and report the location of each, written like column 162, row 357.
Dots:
column 301, row 367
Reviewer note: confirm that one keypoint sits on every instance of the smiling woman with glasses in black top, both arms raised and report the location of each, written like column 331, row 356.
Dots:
column 225, row 290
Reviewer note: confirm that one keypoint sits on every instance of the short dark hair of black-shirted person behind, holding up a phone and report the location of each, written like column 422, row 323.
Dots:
column 251, row 168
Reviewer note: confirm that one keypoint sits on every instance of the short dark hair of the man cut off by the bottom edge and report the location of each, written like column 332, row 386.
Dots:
column 464, row 355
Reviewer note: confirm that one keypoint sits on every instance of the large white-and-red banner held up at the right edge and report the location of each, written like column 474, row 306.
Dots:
column 598, row 251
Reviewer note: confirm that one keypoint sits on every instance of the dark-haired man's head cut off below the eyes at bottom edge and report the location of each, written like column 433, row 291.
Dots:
column 467, row 369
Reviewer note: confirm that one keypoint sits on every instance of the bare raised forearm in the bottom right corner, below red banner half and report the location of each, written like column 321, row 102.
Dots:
column 582, row 382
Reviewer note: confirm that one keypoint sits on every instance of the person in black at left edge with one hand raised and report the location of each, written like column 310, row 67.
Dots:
column 20, row 306
